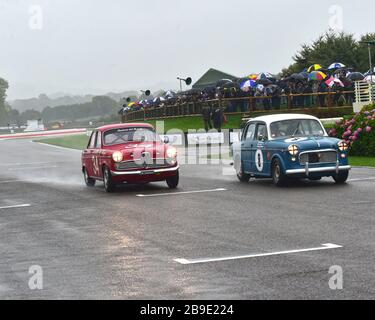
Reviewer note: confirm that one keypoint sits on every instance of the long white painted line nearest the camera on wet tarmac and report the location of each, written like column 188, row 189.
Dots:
column 197, row 261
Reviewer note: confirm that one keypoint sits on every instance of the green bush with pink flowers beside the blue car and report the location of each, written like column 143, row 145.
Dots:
column 359, row 131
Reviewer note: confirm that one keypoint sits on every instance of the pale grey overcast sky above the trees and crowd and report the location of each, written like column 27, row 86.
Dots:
column 95, row 46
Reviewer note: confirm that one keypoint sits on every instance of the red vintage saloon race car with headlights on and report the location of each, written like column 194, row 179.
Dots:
column 129, row 153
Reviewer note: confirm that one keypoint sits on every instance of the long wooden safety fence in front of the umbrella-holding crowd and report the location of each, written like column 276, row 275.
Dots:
column 246, row 105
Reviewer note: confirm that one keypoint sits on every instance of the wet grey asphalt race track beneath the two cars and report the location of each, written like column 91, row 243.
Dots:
column 213, row 238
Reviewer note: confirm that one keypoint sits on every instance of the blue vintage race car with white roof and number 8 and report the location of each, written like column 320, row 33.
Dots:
column 289, row 145
